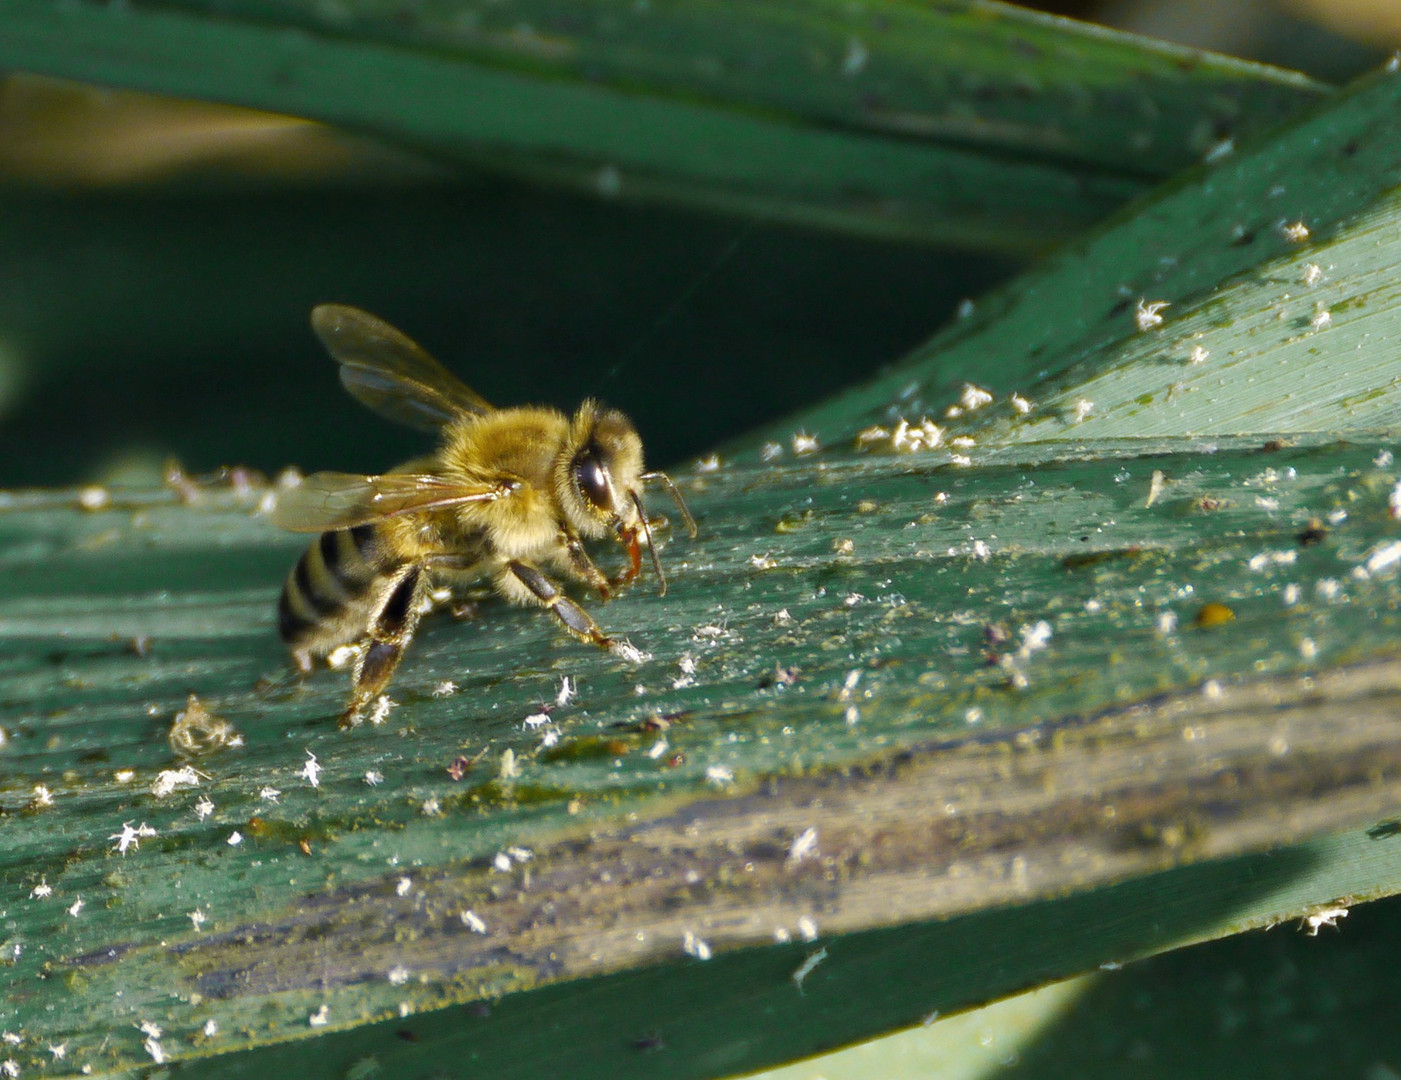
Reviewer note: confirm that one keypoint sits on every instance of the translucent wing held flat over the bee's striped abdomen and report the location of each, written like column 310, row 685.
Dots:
column 329, row 501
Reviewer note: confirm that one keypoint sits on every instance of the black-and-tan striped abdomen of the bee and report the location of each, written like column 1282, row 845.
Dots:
column 331, row 579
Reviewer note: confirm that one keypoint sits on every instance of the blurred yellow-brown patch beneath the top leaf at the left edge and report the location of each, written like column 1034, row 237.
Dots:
column 67, row 135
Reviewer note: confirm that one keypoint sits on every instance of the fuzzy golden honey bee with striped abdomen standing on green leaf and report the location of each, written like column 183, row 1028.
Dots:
column 509, row 494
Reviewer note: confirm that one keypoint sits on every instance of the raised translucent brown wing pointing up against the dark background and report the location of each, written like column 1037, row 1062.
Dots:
column 390, row 373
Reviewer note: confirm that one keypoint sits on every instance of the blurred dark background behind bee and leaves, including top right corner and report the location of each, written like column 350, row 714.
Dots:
column 159, row 261
